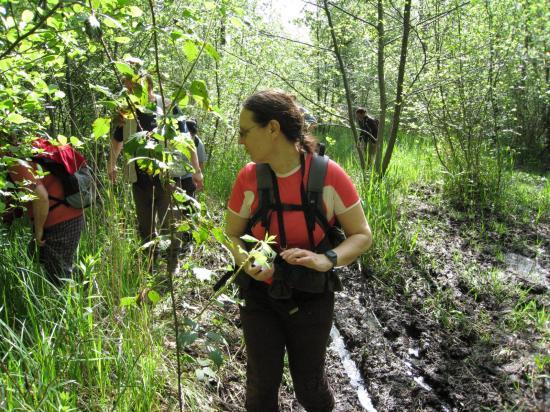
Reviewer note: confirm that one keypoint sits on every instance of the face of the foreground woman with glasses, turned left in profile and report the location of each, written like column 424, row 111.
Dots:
column 255, row 138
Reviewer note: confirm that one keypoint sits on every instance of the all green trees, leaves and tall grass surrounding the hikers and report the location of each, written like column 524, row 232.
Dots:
column 464, row 81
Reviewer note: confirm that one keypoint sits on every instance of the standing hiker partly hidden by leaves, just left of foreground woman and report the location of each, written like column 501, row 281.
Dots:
column 150, row 196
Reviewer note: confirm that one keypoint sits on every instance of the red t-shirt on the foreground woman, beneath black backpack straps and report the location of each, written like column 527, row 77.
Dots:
column 339, row 195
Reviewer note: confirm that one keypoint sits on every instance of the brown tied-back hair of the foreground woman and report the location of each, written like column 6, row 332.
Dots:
column 277, row 105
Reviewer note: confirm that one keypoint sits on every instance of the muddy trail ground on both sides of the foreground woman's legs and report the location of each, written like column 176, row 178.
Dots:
column 447, row 330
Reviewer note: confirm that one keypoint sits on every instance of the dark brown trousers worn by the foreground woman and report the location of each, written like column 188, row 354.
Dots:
column 268, row 329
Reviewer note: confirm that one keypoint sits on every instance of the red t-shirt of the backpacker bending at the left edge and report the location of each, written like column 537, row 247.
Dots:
column 24, row 176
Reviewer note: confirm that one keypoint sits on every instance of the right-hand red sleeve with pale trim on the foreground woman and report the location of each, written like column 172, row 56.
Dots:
column 340, row 193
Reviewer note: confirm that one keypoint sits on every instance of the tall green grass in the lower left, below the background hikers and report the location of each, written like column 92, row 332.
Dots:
column 76, row 347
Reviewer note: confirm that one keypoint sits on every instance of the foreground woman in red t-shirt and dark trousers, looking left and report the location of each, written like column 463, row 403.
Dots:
column 271, row 130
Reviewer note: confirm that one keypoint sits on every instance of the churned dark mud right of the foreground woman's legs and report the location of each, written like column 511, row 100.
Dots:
column 439, row 334
